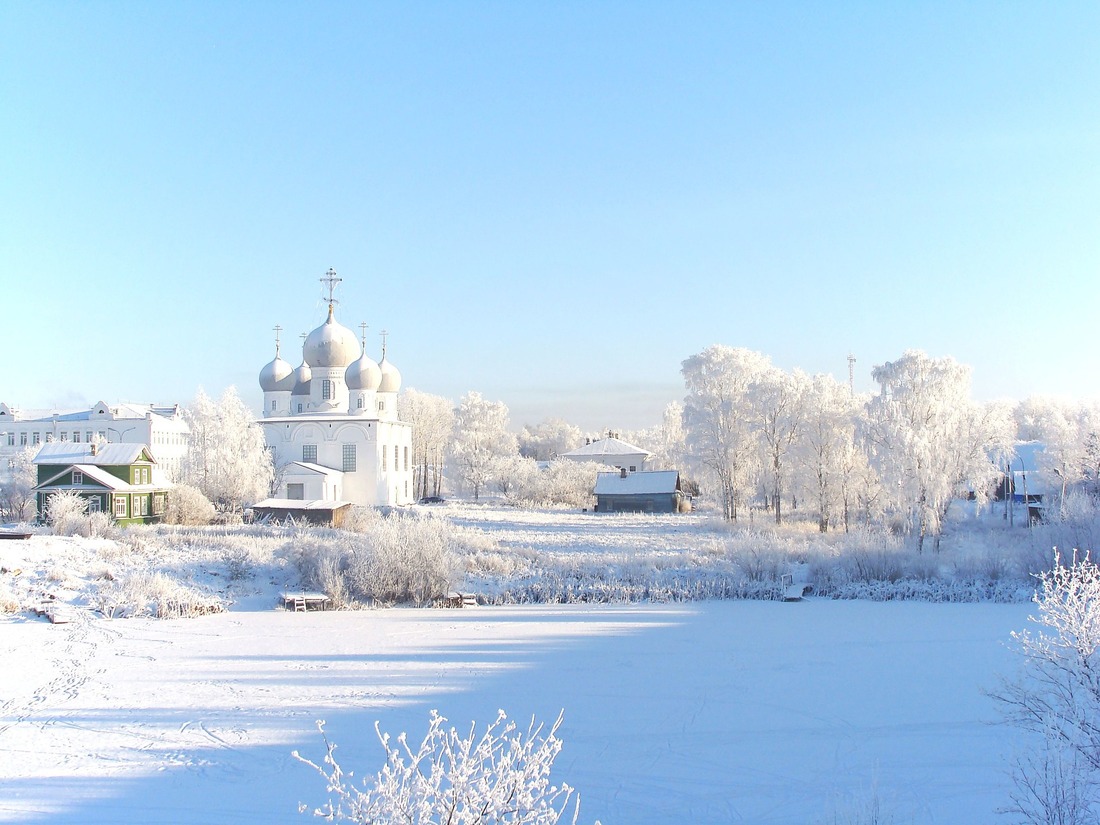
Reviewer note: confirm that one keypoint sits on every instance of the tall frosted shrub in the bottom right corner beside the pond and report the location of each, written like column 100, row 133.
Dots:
column 1057, row 697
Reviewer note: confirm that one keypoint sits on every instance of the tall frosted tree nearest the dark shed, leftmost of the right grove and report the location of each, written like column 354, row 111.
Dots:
column 718, row 426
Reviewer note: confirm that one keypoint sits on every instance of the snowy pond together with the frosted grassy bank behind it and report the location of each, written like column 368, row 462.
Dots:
column 746, row 711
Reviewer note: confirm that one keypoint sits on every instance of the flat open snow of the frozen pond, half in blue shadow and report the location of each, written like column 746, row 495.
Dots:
column 756, row 712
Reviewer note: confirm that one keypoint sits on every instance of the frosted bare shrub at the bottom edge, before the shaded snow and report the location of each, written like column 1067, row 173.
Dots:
column 497, row 778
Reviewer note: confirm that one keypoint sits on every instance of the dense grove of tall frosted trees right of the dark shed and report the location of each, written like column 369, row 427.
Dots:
column 756, row 434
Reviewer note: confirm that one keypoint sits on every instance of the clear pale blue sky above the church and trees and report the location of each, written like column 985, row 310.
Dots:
column 552, row 204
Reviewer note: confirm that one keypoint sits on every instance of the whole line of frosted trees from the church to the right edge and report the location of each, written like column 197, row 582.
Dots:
column 755, row 436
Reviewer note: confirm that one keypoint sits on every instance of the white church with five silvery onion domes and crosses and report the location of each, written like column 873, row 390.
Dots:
column 332, row 424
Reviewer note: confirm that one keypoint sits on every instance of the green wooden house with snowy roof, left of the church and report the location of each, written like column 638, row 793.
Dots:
column 115, row 479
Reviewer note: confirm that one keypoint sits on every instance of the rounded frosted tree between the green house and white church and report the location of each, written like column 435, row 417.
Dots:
column 227, row 458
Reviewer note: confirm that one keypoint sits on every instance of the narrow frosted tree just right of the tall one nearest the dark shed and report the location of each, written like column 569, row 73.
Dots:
column 778, row 408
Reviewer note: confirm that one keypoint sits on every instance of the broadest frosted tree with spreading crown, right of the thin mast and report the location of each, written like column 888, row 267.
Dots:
column 930, row 441
